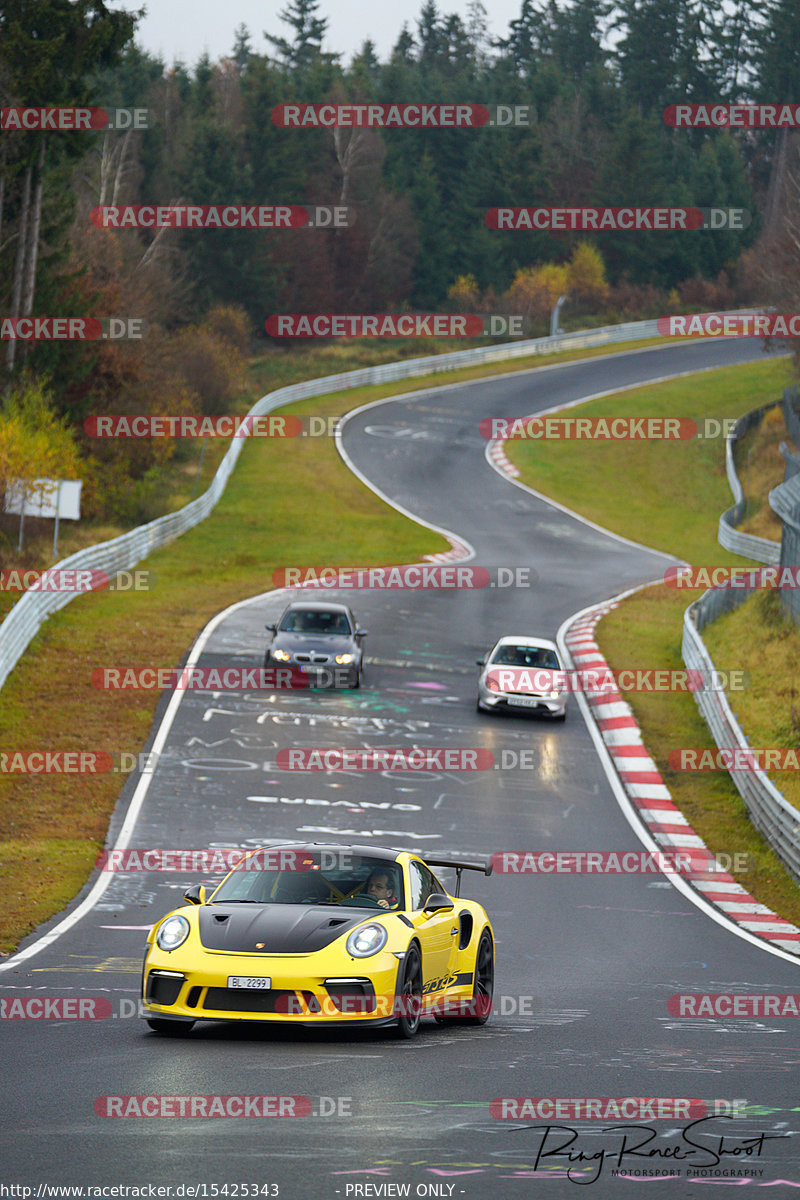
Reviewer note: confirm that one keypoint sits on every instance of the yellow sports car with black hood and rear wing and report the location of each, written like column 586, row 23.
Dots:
column 321, row 935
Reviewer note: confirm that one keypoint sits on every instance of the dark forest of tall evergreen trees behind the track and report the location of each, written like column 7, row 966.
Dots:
column 597, row 76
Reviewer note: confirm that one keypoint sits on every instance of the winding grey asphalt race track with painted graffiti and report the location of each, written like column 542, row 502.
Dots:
column 585, row 965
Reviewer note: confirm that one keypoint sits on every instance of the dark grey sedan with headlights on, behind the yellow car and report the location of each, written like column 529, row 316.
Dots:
column 320, row 639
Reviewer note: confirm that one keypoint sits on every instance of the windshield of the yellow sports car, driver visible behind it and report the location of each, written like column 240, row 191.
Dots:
column 338, row 878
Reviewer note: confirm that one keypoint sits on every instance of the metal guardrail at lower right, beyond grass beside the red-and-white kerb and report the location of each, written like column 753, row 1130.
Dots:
column 777, row 819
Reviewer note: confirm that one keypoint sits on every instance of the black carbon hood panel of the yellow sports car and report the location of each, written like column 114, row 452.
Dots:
column 281, row 928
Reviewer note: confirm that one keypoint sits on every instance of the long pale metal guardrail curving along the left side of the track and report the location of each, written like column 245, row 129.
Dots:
column 25, row 621
